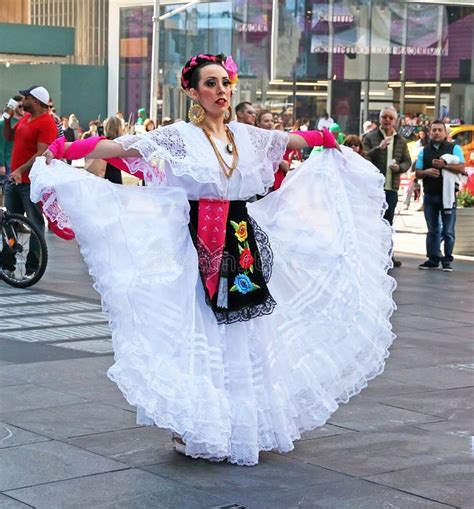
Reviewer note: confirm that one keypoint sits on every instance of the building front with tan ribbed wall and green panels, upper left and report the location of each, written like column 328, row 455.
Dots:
column 60, row 44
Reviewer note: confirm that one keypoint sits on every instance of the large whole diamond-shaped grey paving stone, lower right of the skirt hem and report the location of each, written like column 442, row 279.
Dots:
column 363, row 454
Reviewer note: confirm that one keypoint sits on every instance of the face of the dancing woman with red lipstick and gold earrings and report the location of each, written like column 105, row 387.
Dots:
column 214, row 90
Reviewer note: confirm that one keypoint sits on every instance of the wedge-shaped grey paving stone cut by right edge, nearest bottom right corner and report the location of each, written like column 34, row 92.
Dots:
column 447, row 482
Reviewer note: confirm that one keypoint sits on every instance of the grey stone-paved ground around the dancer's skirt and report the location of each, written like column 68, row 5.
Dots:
column 69, row 439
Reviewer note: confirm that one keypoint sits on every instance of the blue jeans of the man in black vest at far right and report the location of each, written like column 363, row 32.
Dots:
column 441, row 226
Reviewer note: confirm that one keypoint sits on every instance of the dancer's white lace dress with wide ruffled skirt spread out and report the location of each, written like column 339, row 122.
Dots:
column 234, row 390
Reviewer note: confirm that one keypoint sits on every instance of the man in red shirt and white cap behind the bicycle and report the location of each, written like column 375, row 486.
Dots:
column 31, row 137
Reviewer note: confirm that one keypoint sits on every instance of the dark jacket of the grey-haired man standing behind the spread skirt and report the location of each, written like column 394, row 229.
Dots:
column 378, row 157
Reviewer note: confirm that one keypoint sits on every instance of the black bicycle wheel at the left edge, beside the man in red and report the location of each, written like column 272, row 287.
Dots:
column 23, row 254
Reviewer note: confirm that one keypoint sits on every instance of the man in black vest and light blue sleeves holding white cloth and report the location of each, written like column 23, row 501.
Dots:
column 439, row 164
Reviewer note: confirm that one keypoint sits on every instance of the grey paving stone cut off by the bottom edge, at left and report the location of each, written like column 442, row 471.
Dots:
column 130, row 489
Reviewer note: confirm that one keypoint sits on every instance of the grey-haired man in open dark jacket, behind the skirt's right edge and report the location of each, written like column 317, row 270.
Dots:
column 388, row 151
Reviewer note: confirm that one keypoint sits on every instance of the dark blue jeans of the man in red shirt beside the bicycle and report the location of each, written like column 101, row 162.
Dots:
column 17, row 201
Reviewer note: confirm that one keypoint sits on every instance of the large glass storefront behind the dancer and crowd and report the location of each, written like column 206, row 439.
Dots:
column 303, row 57
